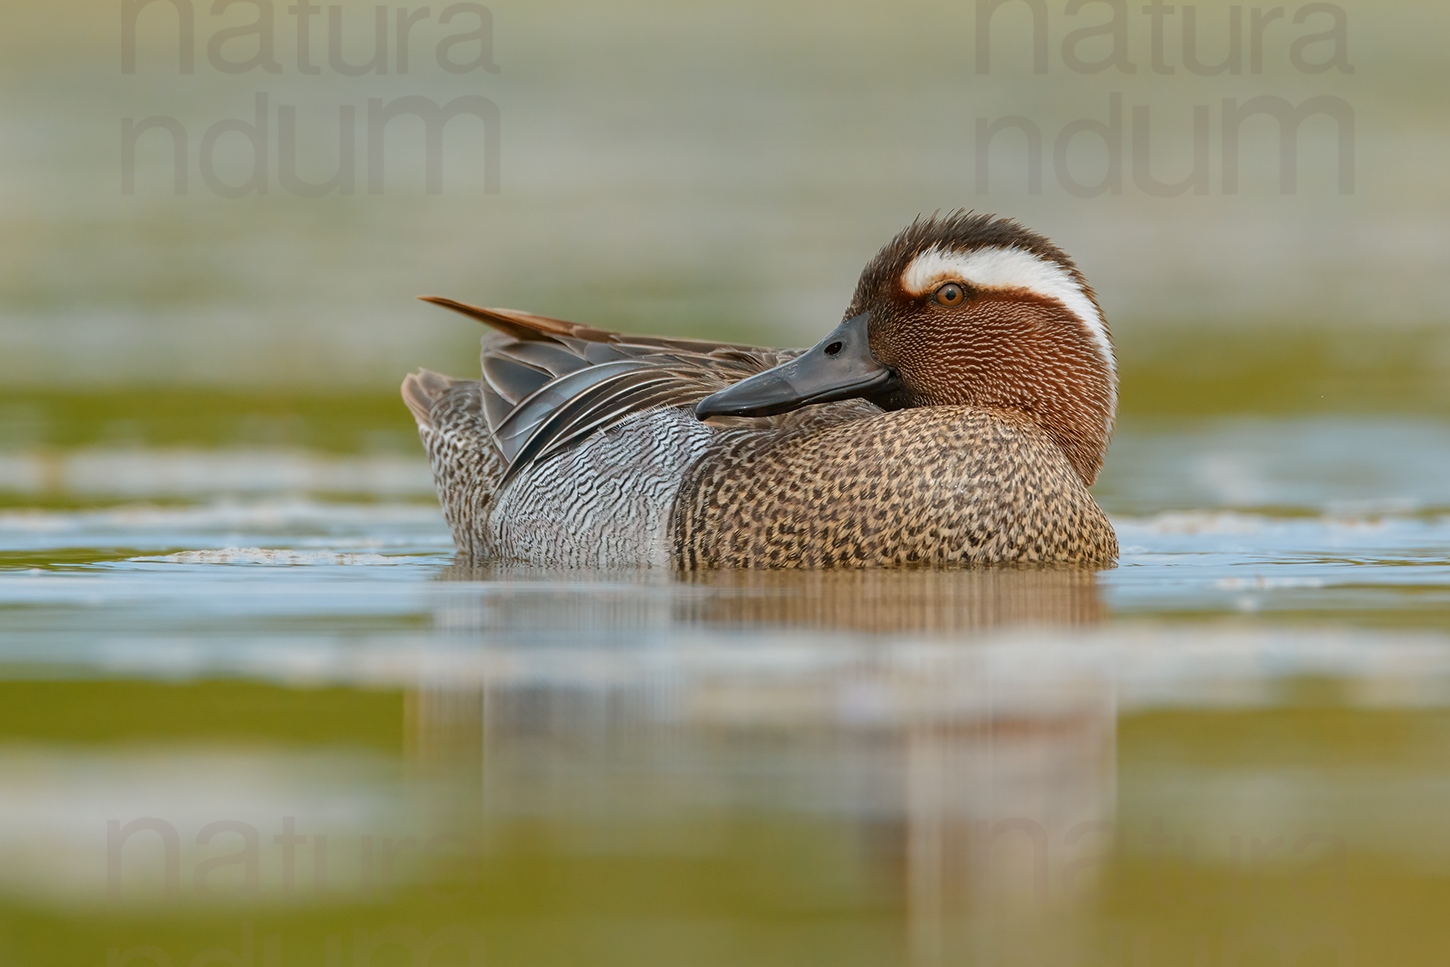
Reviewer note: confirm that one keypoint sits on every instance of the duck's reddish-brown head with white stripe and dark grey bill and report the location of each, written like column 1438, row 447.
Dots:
column 962, row 310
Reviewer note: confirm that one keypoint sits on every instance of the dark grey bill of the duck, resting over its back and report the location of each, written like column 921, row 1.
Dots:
column 840, row 368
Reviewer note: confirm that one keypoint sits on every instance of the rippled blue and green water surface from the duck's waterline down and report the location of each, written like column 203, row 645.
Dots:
column 254, row 715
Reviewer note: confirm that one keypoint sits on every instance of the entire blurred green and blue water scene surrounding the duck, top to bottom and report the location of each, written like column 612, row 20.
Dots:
column 252, row 714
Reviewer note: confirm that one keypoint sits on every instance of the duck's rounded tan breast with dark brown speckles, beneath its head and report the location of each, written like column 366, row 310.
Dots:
column 926, row 488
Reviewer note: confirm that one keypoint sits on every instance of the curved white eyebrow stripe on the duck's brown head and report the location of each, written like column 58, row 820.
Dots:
column 1000, row 267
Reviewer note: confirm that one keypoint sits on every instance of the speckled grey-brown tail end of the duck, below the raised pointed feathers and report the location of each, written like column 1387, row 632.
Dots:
column 466, row 463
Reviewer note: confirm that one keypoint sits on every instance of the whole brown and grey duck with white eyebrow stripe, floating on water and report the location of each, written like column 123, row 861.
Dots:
column 955, row 418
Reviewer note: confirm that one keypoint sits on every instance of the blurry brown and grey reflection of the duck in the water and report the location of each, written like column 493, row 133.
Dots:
column 958, row 779
